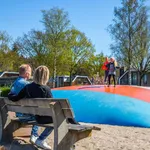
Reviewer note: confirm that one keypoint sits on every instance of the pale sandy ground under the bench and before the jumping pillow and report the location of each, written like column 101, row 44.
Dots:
column 109, row 138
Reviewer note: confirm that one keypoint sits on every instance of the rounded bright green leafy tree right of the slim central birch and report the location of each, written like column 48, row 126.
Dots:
column 80, row 50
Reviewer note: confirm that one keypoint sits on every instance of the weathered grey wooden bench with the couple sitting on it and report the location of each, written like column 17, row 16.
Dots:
column 66, row 130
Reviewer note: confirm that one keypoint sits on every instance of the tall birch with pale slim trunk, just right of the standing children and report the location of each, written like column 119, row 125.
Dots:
column 126, row 25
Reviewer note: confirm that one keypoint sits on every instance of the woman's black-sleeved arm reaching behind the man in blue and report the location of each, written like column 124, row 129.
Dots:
column 20, row 95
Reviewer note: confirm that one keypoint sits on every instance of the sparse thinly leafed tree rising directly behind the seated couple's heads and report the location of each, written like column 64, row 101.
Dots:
column 33, row 47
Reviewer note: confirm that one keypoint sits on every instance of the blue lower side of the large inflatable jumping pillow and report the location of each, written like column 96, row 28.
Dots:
column 106, row 108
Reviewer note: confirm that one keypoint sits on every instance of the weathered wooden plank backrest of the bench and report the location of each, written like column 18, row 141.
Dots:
column 39, row 106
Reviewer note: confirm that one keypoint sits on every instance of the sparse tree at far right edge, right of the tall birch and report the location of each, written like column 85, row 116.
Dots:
column 142, row 50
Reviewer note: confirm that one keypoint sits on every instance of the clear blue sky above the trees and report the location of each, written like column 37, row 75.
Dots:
column 89, row 16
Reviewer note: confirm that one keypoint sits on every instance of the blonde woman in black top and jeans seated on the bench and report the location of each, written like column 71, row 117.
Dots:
column 37, row 89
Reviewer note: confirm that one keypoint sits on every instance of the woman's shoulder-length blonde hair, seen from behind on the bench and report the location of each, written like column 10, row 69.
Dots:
column 41, row 75
